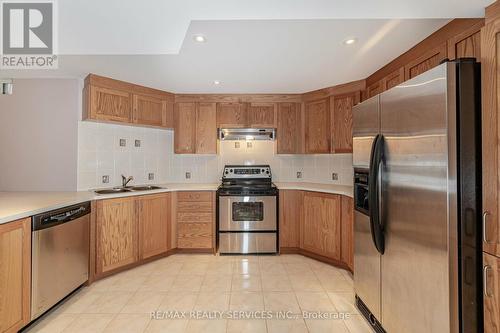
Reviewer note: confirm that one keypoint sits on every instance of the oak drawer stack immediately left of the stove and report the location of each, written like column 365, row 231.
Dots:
column 195, row 220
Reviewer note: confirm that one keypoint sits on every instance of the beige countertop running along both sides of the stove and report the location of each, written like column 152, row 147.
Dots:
column 18, row 205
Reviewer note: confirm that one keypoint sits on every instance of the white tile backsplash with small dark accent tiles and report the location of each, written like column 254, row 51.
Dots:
column 99, row 153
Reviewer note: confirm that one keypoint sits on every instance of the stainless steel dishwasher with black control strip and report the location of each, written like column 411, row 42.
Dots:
column 60, row 255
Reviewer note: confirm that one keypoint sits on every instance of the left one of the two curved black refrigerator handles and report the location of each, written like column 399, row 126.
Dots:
column 376, row 159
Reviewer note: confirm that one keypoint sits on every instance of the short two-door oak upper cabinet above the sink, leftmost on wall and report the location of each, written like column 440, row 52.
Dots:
column 110, row 100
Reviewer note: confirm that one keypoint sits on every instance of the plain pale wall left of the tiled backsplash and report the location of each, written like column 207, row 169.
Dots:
column 38, row 135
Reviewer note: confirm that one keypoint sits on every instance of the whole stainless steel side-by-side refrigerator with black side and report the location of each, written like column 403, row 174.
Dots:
column 416, row 155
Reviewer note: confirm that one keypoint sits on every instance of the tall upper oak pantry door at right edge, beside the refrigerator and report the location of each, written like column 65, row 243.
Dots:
column 490, row 69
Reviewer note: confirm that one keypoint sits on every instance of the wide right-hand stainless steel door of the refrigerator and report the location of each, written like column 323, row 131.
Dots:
column 419, row 204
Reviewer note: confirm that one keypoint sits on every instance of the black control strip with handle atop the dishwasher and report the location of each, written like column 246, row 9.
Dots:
column 60, row 216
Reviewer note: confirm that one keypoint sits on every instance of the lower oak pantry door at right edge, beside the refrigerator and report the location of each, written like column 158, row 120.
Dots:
column 491, row 296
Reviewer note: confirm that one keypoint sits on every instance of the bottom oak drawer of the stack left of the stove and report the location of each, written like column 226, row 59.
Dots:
column 194, row 236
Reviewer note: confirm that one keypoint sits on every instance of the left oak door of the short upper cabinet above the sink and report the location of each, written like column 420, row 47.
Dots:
column 110, row 105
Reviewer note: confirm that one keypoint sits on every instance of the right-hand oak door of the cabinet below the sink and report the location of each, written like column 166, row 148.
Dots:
column 153, row 212
